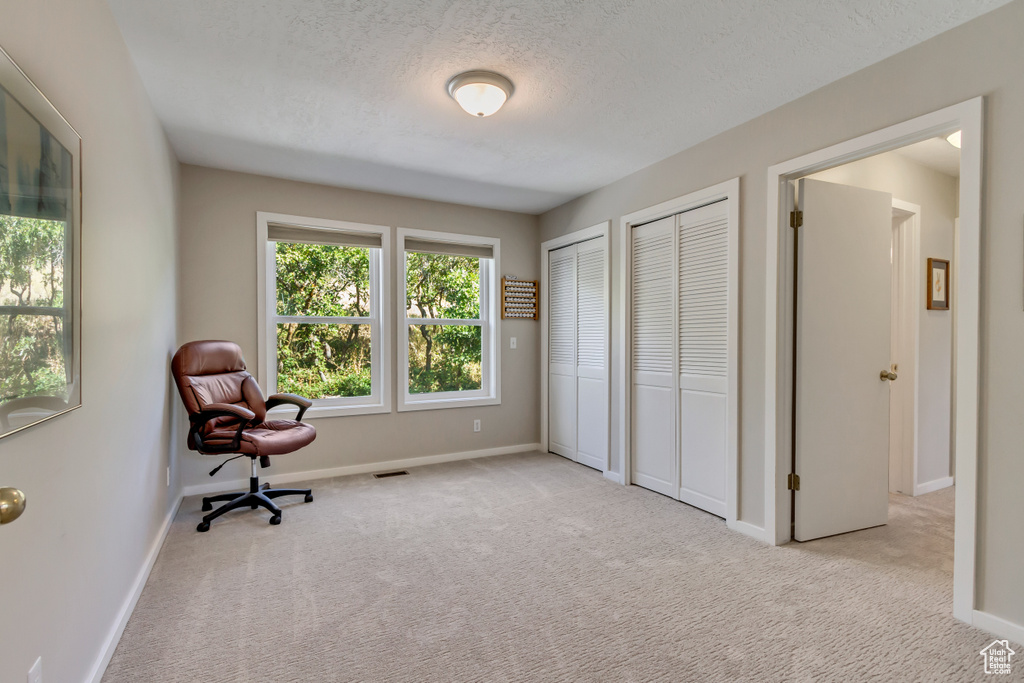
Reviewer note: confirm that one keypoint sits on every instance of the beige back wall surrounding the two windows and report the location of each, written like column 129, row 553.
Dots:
column 220, row 301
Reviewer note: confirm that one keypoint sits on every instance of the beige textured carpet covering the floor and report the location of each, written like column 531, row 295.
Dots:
column 530, row 568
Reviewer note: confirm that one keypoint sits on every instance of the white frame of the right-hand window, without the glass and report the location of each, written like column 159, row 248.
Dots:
column 490, row 393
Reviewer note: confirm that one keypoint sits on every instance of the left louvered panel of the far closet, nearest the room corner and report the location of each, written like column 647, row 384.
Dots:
column 562, row 353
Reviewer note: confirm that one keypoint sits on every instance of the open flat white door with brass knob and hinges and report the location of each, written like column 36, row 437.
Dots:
column 843, row 346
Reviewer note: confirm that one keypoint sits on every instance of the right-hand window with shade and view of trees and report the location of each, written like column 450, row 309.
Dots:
column 449, row 328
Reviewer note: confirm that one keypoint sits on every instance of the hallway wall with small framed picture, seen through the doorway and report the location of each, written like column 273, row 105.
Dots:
column 936, row 194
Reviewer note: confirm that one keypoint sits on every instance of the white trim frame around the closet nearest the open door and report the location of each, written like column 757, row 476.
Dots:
column 729, row 192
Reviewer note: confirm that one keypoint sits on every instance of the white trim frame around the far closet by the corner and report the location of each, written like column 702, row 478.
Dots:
column 601, row 231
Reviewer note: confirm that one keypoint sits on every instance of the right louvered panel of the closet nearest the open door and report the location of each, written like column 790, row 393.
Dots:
column 704, row 357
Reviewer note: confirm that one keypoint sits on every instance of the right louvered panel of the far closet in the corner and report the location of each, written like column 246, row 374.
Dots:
column 592, row 380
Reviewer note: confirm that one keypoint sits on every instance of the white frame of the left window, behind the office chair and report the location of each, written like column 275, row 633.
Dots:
column 379, row 320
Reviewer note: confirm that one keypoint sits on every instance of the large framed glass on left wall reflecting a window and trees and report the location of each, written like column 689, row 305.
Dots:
column 40, row 257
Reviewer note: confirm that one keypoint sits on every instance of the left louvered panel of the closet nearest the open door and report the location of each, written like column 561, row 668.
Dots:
column 654, row 326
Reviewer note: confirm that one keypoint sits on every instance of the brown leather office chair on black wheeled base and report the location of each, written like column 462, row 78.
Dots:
column 229, row 416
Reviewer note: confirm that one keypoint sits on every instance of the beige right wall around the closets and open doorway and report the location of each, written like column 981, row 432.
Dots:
column 983, row 58
